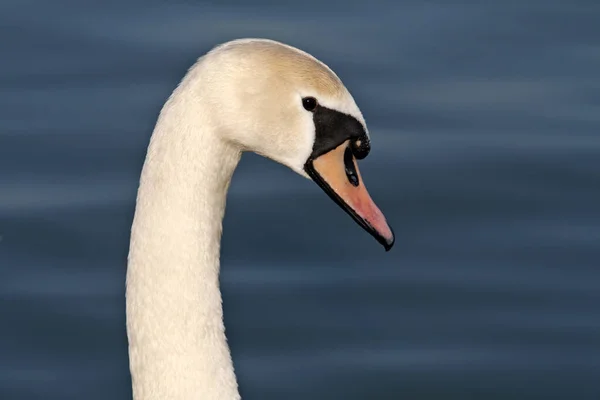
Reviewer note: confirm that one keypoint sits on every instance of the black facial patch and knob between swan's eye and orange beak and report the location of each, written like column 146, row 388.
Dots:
column 334, row 128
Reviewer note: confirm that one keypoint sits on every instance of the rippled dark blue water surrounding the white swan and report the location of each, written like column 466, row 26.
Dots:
column 484, row 119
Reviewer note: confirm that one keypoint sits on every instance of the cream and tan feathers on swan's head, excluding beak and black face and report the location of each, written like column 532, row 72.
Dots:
column 257, row 91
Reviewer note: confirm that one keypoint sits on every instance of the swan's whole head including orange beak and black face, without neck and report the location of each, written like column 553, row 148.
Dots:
column 286, row 105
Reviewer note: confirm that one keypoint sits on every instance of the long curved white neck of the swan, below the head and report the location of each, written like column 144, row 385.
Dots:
column 177, row 344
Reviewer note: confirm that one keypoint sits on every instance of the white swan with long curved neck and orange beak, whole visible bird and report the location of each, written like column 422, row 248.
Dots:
column 254, row 95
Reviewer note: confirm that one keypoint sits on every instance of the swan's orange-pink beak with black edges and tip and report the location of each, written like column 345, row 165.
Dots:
column 336, row 172
